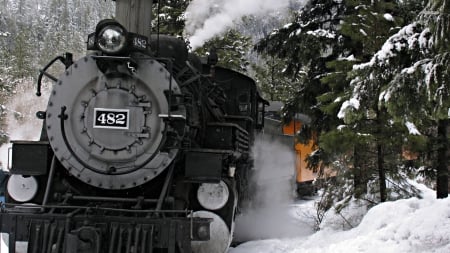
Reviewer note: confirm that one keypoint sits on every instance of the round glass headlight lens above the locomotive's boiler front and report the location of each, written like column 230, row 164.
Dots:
column 111, row 39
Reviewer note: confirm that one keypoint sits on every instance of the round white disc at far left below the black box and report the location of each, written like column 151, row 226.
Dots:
column 22, row 189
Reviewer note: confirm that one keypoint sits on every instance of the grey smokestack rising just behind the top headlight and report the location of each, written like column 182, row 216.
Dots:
column 135, row 15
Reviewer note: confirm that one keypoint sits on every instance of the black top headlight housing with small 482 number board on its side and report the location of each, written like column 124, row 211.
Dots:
column 112, row 38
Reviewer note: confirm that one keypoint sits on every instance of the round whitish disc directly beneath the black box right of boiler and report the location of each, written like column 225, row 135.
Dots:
column 213, row 196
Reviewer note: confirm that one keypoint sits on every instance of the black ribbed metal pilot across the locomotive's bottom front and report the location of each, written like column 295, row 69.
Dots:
column 81, row 232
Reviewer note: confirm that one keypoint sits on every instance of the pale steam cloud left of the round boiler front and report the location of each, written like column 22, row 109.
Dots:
column 21, row 122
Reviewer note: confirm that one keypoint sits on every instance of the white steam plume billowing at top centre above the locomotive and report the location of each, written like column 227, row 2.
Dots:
column 208, row 18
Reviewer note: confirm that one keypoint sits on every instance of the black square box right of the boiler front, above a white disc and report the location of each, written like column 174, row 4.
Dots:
column 204, row 166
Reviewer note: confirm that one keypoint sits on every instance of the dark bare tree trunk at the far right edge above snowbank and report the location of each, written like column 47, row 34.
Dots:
column 442, row 162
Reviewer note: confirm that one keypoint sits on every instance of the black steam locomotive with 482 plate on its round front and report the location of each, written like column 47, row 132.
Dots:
column 144, row 148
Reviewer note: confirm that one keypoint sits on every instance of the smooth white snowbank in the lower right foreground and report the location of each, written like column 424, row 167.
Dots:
column 409, row 225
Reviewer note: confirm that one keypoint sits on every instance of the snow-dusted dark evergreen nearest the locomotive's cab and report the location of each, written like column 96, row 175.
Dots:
column 305, row 45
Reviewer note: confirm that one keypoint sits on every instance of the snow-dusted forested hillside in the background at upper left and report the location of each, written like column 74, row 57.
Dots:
column 33, row 32
